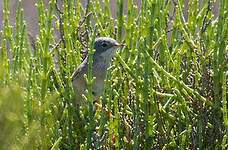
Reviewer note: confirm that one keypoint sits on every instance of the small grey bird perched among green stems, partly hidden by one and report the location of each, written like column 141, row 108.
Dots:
column 105, row 49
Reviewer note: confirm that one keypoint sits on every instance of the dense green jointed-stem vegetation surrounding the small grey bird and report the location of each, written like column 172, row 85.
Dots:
column 166, row 89
